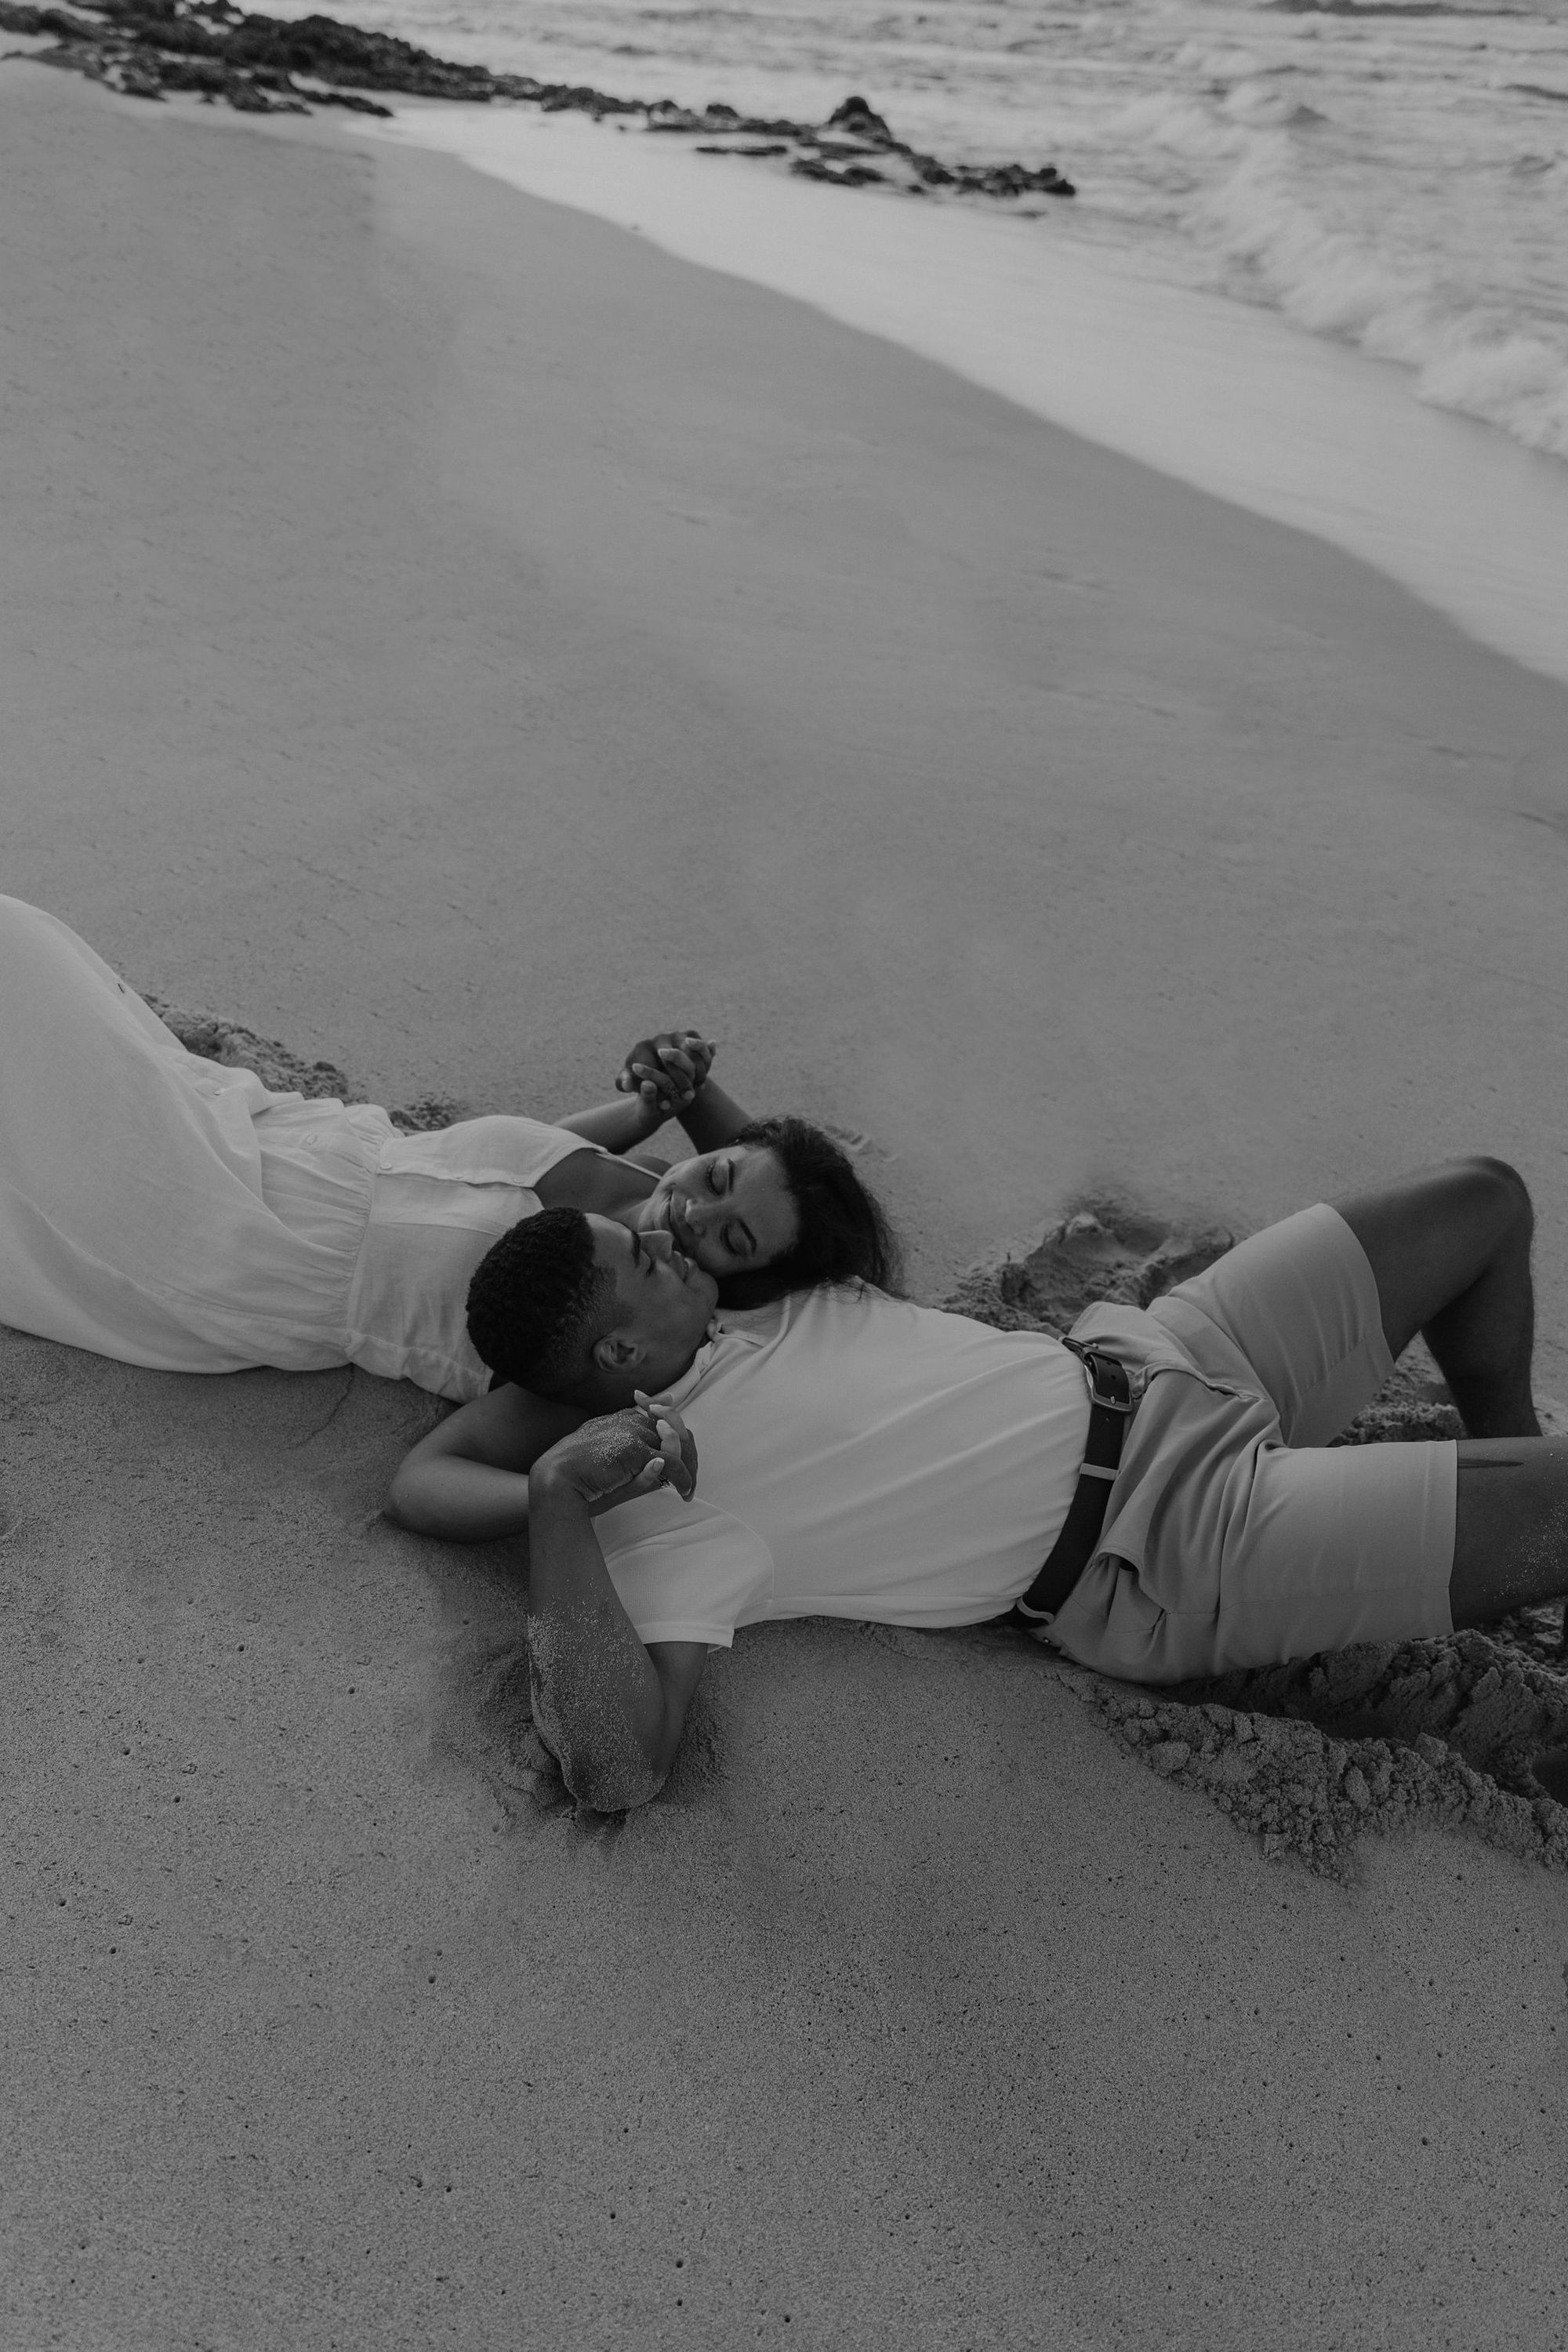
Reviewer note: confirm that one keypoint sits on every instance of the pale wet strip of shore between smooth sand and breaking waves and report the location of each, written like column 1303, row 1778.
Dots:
column 1249, row 408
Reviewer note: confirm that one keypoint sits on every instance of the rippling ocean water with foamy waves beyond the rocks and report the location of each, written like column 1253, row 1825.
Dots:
column 1374, row 168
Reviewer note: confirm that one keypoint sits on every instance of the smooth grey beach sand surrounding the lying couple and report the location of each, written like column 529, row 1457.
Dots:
column 443, row 634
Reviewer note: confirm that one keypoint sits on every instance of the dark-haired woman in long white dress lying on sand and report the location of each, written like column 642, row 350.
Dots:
column 175, row 1212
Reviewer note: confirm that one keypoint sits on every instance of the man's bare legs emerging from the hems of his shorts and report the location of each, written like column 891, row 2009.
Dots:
column 1452, row 1257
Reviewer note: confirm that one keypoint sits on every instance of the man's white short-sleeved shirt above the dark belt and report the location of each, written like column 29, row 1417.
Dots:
column 857, row 1457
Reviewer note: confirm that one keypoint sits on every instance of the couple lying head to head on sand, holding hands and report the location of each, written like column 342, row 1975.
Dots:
column 706, row 1405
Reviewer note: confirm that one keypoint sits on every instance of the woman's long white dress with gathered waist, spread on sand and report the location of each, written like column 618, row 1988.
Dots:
column 173, row 1212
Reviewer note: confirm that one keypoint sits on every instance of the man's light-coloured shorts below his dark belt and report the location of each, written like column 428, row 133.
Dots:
column 1235, row 1535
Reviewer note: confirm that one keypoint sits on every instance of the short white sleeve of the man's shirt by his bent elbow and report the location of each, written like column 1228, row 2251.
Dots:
column 685, row 1572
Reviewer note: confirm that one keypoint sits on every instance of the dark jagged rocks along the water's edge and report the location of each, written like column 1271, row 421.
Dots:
column 272, row 65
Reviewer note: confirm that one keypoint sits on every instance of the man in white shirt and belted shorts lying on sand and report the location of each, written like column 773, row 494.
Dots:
column 864, row 1457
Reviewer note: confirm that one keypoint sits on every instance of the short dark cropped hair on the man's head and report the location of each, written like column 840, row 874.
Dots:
column 537, row 1302
